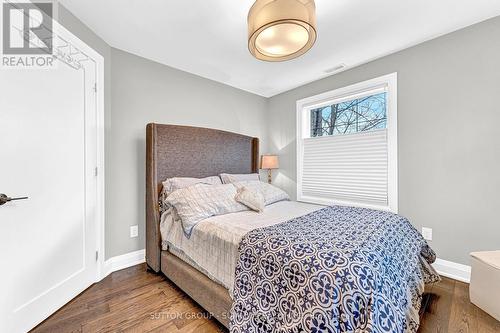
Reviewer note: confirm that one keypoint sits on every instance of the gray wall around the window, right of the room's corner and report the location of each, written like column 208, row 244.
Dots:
column 449, row 135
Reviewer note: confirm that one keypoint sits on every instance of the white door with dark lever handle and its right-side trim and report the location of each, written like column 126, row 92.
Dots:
column 48, row 152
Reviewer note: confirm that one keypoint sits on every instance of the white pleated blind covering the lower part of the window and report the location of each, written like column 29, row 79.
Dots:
column 351, row 168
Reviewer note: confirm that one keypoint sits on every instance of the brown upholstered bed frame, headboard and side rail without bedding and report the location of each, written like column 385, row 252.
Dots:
column 184, row 151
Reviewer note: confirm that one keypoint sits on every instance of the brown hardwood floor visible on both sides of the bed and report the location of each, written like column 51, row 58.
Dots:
column 134, row 300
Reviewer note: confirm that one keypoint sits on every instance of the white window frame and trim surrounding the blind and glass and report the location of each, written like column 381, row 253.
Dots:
column 304, row 106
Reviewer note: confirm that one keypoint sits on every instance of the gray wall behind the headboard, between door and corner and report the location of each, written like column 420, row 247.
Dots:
column 139, row 91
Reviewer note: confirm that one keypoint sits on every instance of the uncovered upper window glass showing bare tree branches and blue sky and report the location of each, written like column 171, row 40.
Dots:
column 357, row 115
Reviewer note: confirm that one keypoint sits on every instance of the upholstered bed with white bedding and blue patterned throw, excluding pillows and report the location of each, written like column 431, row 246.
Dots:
column 221, row 252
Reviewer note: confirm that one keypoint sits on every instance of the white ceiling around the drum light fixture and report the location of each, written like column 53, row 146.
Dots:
column 209, row 37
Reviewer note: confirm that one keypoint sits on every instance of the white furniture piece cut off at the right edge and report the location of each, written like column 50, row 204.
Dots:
column 485, row 282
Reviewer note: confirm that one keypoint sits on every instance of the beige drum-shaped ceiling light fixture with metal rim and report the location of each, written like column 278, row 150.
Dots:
column 280, row 30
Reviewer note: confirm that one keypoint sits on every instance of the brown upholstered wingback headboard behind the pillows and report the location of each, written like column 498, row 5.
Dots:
column 183, row 151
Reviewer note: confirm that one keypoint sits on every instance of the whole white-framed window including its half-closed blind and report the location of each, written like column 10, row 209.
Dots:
column 347, row 146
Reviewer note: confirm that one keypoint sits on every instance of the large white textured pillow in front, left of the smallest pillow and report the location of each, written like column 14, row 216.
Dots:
column 198, row 202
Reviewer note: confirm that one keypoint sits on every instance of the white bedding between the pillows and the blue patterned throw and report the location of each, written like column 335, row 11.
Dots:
column 213, row 245
